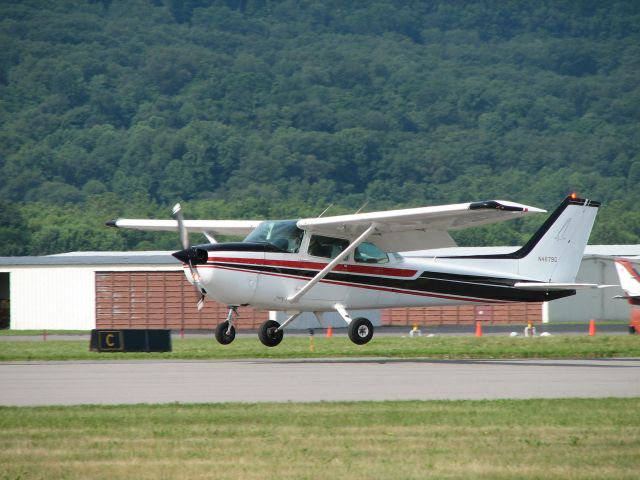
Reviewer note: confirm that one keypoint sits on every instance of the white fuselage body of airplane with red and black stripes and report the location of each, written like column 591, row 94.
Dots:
column 263, row 276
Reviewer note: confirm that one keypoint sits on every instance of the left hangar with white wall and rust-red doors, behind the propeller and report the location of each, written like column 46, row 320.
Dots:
column 86, row 290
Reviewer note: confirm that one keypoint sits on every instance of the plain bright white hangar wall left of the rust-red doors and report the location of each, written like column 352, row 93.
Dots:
column 53, row 298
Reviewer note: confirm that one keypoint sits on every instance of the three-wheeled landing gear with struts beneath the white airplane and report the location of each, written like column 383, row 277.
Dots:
column 271, row 333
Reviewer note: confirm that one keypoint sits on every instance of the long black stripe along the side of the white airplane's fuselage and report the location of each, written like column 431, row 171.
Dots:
column 488, row 288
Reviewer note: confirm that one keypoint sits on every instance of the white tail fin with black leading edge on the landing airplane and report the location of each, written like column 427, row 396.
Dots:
column 554, row 253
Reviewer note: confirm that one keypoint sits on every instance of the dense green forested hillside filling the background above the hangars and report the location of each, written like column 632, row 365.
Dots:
column 255, row 109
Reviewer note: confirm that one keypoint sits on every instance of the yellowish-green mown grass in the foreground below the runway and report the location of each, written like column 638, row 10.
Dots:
column 525, row 439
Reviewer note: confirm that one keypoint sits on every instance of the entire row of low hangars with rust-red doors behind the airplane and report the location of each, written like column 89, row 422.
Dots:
column 86, row 290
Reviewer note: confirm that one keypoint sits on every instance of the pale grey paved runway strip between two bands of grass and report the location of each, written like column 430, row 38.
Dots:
column 130, row 382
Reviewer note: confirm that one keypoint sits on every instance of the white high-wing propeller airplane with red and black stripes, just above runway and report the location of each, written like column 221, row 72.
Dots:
column 350, row 262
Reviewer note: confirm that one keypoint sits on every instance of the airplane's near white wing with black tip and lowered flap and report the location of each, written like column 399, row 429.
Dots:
column 418, row 228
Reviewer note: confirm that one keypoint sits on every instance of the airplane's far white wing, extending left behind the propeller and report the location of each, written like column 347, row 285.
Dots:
column 209, row 228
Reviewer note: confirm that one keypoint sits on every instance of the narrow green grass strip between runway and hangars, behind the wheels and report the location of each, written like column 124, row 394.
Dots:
column 600, row 346
